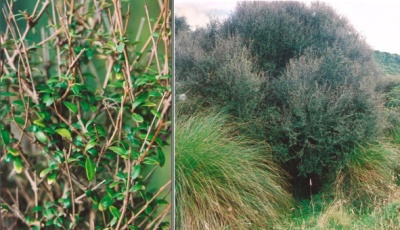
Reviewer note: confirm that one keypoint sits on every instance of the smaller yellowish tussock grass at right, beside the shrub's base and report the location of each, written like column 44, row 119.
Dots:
column 368, row 175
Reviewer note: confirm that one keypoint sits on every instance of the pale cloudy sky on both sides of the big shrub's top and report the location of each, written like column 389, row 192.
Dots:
column 377, row 21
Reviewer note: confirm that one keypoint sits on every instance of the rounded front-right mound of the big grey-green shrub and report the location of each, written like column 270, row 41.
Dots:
column 323, row 111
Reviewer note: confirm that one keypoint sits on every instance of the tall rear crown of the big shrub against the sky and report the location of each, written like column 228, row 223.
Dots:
column 279, row 31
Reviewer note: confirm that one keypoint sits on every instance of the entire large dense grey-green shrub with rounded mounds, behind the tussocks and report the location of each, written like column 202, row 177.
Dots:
column 314, row 94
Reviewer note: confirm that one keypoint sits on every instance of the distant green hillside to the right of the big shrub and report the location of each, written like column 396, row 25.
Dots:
column 390, row 63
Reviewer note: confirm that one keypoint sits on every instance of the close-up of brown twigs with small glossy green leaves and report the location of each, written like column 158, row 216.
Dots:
column 79, row 141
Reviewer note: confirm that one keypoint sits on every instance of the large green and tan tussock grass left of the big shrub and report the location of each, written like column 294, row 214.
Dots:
column 224, row 181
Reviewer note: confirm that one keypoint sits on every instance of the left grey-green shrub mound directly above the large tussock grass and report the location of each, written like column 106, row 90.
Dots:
column 222, row 75
